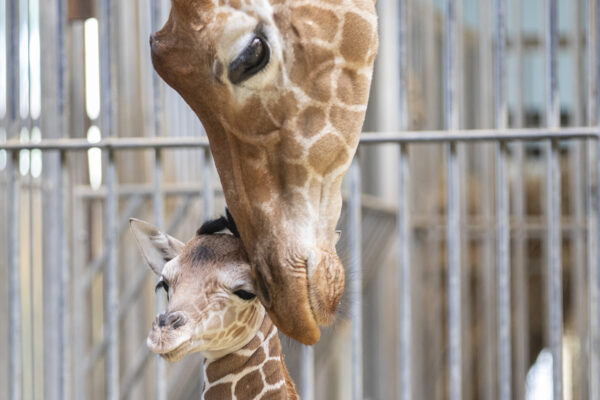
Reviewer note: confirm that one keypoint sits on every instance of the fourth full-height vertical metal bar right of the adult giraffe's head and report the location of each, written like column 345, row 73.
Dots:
column 553, row 201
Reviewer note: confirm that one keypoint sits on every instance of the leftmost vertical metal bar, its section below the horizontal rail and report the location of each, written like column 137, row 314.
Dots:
column 15, row 329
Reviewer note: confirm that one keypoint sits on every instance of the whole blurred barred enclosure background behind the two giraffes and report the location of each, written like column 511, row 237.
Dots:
column 78, row 301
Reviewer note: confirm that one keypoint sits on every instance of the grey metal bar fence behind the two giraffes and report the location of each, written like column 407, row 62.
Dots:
column 79, row 301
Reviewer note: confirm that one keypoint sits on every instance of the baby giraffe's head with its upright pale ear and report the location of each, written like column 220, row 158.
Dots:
column 212, row 306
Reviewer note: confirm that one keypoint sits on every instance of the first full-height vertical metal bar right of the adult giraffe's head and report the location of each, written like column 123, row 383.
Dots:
column 404, row 356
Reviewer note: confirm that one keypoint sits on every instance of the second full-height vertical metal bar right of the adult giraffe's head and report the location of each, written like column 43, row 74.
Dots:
column 452, row 209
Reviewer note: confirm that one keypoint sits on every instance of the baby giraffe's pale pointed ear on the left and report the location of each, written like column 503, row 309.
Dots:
column 157, row 247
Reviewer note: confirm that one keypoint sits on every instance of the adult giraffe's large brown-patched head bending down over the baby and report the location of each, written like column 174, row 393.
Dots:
column 281, row 88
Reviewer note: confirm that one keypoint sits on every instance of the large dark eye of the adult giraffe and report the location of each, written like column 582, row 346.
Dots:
column 252, row 60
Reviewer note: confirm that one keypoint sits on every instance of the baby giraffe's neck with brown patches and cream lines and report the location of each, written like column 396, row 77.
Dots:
column 256, row 371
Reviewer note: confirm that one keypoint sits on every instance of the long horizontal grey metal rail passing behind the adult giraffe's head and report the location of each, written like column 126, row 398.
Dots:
column 470, row 135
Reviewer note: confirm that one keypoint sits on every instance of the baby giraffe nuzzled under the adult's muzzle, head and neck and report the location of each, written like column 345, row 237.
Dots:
column 212, row 308
